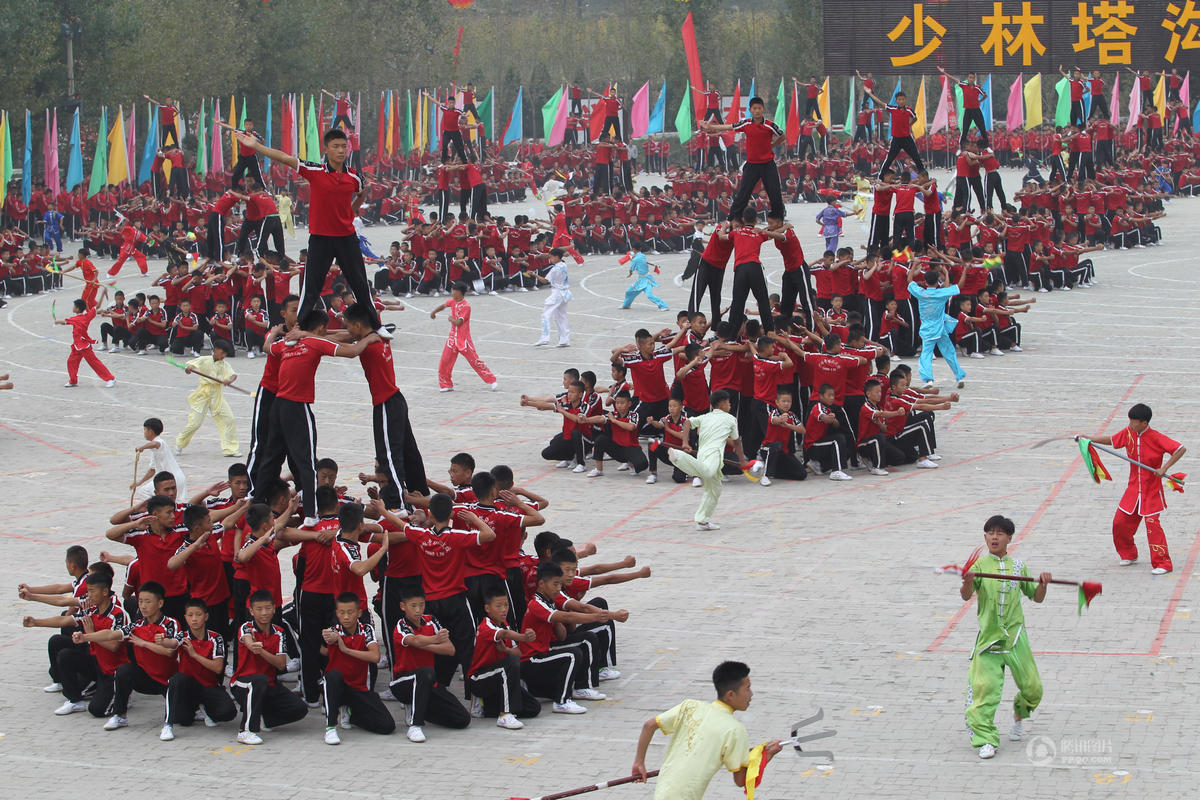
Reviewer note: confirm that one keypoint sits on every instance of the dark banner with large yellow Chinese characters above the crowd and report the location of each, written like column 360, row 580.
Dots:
column 904, row 38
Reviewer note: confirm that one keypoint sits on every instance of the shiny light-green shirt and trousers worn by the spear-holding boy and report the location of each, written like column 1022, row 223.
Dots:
column 1003, row 642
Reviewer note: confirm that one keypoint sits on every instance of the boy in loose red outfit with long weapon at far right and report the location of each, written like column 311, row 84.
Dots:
column 1143, row 500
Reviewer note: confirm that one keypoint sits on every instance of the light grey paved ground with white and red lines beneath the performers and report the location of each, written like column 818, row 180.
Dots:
column 827, row 590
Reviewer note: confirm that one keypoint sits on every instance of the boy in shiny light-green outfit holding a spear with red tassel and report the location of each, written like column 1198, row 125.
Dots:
column 1003, row 641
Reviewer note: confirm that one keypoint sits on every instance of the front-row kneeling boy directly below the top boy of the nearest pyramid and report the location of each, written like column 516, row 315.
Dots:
column 352, row 648
